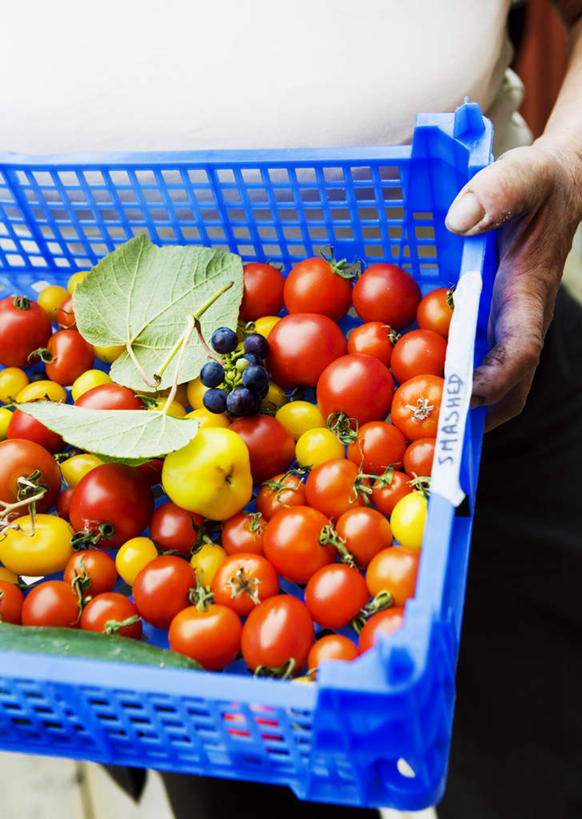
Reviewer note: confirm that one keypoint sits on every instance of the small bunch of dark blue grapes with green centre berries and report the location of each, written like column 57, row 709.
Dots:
column 237, row 381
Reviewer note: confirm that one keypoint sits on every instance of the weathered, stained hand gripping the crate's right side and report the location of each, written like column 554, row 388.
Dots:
column 534, row 194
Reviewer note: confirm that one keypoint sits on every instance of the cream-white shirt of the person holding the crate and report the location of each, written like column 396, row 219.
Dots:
column 154, row 75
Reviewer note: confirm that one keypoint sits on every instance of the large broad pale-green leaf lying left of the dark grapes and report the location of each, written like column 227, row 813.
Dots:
column 140, row 295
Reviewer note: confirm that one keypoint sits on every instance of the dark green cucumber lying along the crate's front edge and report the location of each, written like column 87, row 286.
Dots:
column 72, row 642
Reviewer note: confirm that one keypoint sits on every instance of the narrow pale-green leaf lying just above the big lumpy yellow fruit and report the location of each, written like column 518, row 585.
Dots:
column 126, row 435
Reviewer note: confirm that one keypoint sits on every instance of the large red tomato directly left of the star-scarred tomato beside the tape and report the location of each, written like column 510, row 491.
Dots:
column 358, row 385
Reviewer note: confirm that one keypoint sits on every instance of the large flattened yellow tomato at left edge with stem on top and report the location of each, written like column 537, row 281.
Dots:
column 37, row 551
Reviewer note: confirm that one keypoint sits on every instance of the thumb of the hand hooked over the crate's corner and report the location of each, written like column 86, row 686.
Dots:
column 517, row 182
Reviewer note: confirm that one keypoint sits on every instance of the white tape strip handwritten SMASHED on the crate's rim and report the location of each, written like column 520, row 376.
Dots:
column 457, row 389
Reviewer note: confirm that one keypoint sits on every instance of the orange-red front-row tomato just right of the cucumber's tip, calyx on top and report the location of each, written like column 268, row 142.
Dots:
column 211, row 637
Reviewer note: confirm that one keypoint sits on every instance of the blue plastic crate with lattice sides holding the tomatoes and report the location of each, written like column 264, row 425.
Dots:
column 373, row 732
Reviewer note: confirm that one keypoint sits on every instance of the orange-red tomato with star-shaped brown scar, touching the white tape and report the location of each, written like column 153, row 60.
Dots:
column 416, row 406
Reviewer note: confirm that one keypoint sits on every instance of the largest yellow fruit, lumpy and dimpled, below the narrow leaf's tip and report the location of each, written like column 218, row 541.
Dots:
column 211, row 475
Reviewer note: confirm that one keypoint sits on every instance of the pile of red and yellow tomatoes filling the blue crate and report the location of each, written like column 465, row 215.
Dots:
column 336, row 467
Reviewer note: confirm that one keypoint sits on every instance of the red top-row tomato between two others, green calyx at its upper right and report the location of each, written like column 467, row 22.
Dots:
column 316, row 286
